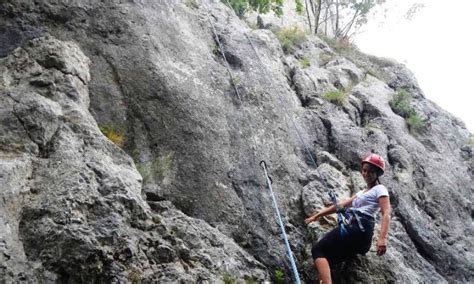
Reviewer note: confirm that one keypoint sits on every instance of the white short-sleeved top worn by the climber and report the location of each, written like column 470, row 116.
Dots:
column 368, row 202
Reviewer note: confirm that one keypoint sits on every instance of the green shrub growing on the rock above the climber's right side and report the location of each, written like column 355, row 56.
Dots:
column 400, row 105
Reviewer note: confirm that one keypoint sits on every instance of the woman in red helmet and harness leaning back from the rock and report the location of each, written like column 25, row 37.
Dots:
column 355, row 237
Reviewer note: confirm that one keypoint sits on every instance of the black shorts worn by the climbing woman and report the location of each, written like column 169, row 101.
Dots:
column 337, row 248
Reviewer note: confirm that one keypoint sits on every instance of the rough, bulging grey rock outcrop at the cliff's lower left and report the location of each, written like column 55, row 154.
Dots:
column 73, row 210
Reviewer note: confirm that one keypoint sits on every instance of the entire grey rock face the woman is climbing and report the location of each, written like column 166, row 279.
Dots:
column 183, row 198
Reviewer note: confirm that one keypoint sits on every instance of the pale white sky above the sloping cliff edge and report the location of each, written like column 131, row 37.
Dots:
column 436, row 44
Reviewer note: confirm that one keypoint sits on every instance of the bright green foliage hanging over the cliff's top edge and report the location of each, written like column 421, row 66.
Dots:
column 260, row 6
